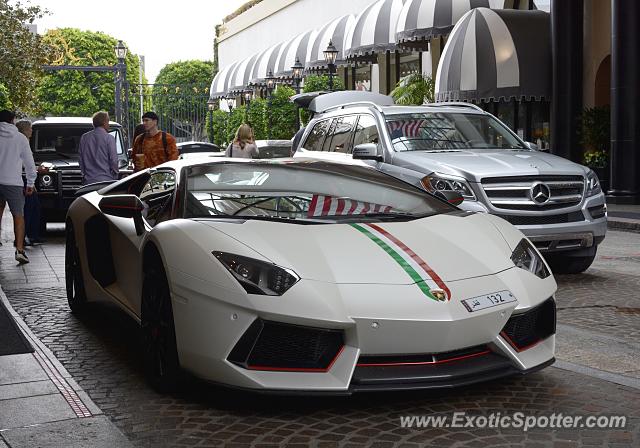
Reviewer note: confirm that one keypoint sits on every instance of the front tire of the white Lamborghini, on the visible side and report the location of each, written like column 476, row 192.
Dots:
column 160, row 357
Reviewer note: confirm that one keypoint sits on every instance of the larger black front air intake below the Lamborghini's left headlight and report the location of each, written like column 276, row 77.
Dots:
column 277, row 346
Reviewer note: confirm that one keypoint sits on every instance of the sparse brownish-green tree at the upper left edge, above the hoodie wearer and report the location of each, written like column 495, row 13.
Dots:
column 21, row 55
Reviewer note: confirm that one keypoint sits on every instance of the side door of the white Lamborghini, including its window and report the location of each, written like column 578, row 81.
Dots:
column 157, row 195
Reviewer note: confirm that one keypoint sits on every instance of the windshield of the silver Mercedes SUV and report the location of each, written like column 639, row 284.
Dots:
column 431, row 131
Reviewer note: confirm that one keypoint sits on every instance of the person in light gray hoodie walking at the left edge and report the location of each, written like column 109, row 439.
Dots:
column 15, row 154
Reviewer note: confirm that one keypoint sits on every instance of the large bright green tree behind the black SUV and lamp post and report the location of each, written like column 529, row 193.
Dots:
column 74, row 93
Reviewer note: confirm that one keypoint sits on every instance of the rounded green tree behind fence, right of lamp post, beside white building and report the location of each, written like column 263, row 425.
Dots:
column 180, row 96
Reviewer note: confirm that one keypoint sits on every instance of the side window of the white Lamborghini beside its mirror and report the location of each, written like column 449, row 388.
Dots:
column 156, row 196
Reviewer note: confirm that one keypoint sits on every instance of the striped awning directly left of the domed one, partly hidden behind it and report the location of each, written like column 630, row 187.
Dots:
column 422, row 20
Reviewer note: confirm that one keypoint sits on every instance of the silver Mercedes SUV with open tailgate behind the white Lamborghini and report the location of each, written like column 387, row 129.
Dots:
column 458, row 147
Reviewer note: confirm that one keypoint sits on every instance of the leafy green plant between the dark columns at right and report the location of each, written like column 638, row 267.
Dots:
column 595, row 126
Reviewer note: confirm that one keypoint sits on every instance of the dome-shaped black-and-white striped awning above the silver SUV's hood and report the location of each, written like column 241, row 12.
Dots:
column 497, row 54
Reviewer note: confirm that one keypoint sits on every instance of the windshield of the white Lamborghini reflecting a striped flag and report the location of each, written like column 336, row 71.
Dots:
column 307, row 191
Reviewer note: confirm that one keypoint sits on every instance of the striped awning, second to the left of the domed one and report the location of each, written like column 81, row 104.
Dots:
column 374, row 31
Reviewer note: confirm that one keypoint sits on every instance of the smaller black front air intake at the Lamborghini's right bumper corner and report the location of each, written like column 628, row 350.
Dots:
column 524, row 330
